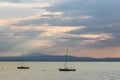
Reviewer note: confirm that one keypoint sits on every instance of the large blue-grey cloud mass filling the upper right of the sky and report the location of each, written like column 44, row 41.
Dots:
column 105, row 19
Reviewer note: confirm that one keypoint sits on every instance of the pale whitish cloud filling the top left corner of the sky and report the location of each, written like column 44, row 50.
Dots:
column 21, row 10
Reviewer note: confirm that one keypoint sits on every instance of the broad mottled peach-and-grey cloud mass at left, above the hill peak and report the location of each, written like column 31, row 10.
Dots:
column 35, row 36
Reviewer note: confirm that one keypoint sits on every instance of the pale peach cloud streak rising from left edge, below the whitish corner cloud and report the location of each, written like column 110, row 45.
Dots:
column 27, row 20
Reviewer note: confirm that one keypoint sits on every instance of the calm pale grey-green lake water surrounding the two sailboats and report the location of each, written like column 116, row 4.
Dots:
column 49, row 71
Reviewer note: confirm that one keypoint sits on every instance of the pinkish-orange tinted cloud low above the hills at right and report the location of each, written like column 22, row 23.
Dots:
column 98, row 53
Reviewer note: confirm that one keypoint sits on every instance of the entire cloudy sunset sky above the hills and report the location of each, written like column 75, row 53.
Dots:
column 89, row 28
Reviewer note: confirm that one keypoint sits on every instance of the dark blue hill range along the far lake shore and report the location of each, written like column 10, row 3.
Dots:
column 45, row 57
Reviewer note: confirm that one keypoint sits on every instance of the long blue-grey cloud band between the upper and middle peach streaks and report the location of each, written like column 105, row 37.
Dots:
column 52, row 21
